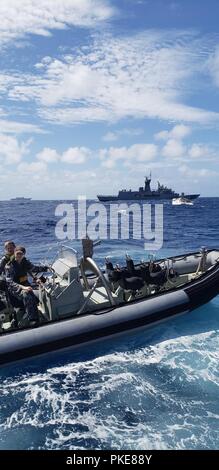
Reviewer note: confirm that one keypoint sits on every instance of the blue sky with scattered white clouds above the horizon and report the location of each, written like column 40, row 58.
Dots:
column 95, row 94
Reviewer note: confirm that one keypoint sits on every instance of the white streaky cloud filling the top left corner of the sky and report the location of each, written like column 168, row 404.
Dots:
column 22, row 17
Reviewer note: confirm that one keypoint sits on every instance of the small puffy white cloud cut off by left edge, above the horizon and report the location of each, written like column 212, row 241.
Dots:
column 11, row 150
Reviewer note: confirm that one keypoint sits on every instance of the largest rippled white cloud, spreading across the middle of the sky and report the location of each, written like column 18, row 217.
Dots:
column 142, row 76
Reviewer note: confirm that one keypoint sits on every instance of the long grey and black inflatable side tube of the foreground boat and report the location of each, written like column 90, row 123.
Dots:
column 85, row 328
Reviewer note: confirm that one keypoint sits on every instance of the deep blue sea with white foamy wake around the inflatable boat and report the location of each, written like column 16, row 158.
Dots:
column 154, row 389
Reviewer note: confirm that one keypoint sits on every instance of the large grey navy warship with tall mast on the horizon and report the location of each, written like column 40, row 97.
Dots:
column 146, row 193
